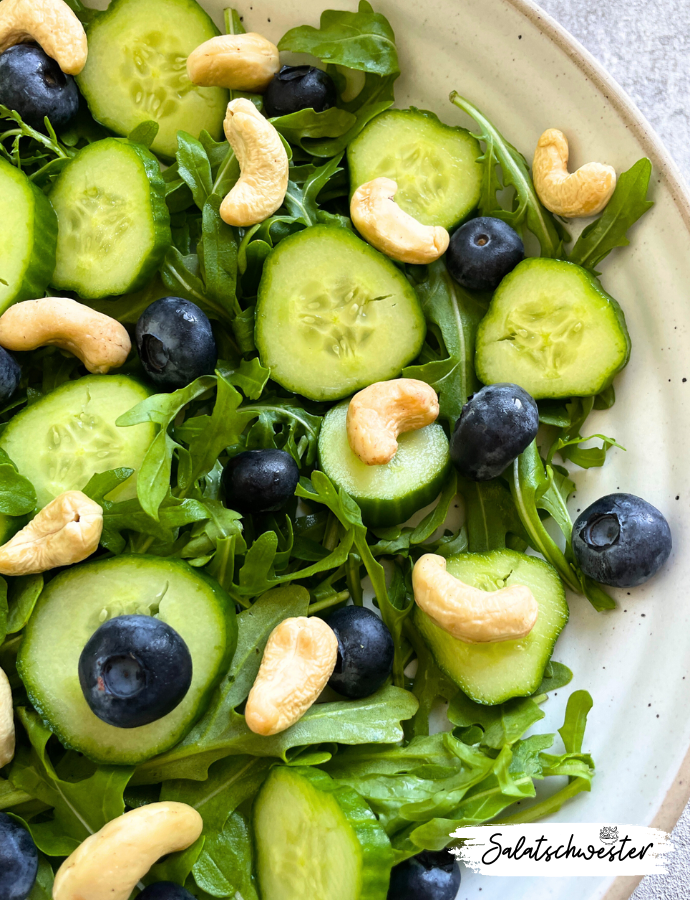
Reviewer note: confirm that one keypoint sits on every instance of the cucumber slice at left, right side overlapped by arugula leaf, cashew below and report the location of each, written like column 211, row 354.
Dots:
column 69, row 435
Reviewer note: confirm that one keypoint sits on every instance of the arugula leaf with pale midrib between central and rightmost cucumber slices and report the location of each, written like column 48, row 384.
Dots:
column 453, row 315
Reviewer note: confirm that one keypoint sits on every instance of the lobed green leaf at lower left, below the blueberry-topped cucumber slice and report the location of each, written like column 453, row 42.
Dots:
column 80, row 808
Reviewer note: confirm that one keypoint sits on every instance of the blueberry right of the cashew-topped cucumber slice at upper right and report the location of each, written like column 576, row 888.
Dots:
column 482, row 252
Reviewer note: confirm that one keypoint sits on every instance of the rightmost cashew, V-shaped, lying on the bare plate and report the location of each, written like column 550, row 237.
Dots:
column 582, row 193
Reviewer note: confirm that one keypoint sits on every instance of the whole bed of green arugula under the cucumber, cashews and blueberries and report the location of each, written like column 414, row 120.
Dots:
column 314, row 556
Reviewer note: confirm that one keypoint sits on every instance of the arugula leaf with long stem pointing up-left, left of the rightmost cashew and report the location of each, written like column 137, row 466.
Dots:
column 527, row 211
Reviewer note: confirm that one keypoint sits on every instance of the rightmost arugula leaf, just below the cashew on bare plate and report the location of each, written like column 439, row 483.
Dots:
column 628, row 204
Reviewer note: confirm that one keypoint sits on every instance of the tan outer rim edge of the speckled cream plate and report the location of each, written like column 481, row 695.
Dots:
column 678, row 794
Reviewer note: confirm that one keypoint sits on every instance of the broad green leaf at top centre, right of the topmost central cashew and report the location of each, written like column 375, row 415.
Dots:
column 363, row 40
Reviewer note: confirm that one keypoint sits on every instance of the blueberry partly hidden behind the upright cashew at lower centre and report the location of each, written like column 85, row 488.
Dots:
column 365, row 652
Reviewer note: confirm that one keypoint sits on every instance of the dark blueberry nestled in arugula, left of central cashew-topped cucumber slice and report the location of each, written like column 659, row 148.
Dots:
column 259, row 481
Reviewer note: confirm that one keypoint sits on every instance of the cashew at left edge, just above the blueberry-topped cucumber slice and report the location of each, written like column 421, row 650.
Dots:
column 64, row 532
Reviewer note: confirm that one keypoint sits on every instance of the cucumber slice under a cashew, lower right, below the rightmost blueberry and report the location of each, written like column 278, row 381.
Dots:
column 492, row 673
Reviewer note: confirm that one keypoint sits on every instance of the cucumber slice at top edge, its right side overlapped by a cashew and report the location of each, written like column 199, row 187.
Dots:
column 137, row 71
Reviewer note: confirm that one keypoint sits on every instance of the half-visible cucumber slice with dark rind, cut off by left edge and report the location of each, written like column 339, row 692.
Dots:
column 28, row 236
